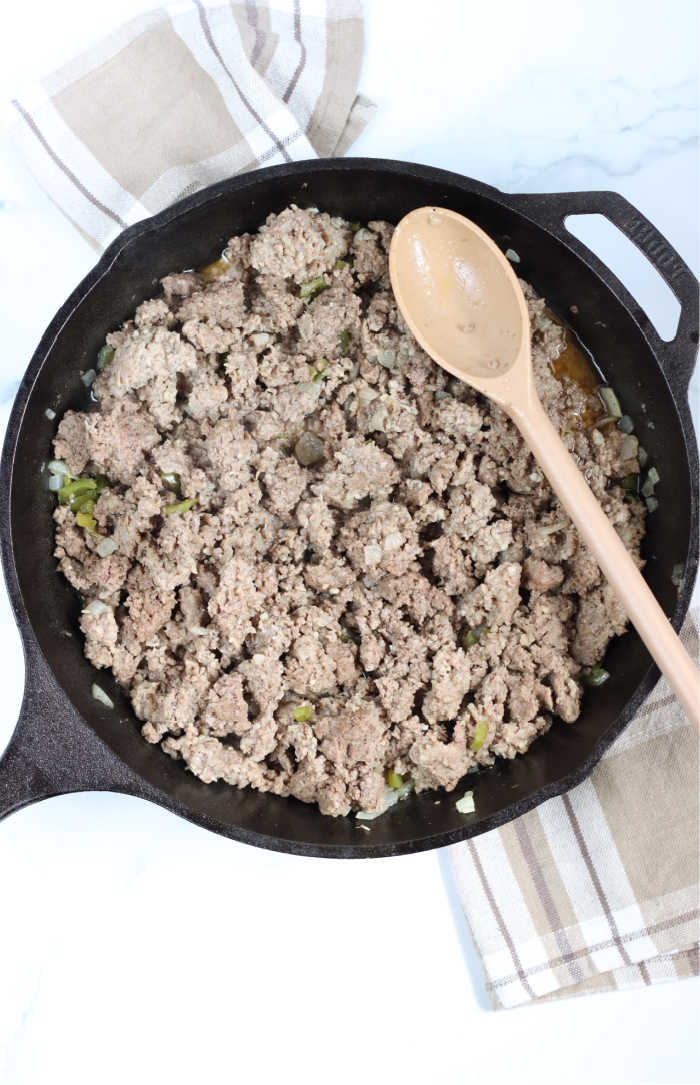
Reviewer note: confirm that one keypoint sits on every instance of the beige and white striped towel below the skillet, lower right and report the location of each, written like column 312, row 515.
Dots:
column 599, row 889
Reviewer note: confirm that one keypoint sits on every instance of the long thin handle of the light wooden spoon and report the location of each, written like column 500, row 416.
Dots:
column 613, row 556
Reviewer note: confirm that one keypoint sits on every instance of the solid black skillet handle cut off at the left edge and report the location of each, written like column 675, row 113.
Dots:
column 53, row 751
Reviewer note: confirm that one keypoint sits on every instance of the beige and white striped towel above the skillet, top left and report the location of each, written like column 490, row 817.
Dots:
column 188, row 95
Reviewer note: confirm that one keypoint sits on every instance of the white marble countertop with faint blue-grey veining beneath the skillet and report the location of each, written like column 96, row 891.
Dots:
column 137, row 947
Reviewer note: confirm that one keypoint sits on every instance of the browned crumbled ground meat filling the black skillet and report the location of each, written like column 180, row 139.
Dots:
column 341, row 582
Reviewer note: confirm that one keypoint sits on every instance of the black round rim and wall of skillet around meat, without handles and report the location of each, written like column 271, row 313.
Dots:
column 195, row 235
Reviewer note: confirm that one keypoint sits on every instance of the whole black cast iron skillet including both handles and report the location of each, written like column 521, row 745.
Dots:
column 66, row 742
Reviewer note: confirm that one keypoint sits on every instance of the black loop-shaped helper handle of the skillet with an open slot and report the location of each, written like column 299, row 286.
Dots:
column 678, row 358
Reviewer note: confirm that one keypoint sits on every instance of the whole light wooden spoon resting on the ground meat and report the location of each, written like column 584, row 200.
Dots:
column 462, row 300
